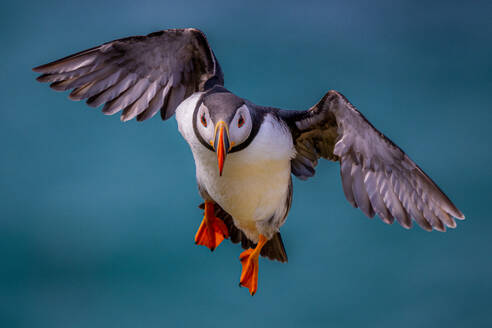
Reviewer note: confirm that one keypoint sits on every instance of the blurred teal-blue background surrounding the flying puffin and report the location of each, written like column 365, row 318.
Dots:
column 98, row 217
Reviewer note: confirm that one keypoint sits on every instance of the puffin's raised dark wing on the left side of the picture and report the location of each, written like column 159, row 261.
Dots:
column 140, row 74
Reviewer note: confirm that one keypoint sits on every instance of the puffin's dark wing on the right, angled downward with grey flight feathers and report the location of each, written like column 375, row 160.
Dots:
column 377, row 176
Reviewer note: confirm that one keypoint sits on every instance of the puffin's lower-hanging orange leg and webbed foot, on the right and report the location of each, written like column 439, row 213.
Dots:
column 249, row 261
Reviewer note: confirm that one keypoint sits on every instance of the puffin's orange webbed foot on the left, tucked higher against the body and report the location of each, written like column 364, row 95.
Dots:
column 212, row 230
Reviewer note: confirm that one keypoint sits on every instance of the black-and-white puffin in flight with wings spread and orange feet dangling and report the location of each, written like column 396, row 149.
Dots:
column 246, row 154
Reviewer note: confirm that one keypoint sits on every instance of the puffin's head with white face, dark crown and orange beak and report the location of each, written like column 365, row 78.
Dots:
column 223, row 123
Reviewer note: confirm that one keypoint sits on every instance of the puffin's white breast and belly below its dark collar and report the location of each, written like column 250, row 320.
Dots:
column 255, row 181
